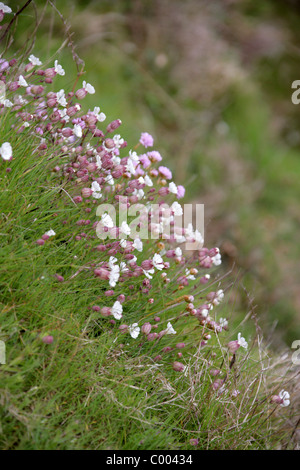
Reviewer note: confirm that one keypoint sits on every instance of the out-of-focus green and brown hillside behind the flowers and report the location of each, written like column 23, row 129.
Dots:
column 211, row 81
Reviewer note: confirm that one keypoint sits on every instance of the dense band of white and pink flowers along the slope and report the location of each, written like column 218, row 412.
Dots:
column 151, row 286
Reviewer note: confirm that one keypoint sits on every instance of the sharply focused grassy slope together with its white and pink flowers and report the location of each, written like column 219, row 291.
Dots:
column 113, row 318
